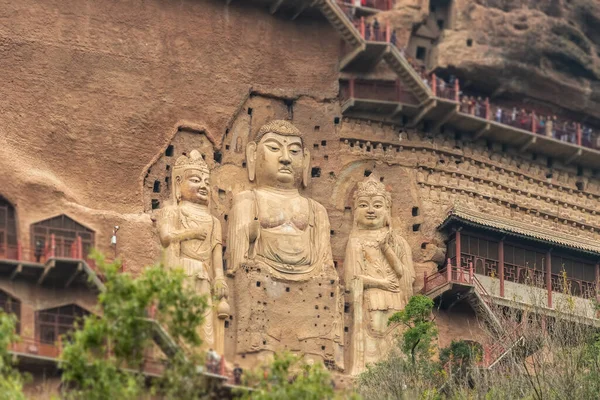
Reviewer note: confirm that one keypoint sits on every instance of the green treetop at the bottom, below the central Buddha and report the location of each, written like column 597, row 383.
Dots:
column 287, row 377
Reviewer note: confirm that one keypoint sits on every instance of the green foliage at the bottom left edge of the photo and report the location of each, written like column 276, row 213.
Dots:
column 11, row 381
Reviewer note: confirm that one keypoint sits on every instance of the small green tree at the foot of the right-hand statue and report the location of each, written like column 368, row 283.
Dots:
column 420, row 328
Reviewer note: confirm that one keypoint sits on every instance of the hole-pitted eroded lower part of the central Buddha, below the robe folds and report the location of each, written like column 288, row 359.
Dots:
column 304, row 318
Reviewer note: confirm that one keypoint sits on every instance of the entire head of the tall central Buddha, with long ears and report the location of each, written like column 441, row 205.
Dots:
column 277, row 156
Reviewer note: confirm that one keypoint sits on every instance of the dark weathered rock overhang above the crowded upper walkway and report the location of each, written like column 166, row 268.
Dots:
column 543, row 49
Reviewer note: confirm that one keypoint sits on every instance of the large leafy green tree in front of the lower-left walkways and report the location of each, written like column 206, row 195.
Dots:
column 105, row 358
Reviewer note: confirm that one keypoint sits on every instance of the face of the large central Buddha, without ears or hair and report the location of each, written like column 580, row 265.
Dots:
column 279, row 161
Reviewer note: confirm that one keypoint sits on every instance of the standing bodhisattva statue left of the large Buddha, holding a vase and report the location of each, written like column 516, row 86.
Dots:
column 191, row 240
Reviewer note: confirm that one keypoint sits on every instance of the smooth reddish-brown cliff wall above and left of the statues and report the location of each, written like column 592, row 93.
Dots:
column 93, row 90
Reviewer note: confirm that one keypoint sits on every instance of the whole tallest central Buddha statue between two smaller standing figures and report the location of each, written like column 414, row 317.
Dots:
column 287, row 288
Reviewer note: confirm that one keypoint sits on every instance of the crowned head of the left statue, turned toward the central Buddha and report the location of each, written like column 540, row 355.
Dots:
column 191, row 179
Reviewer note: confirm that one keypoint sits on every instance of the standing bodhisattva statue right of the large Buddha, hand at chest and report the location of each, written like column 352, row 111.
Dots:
column 379, row 273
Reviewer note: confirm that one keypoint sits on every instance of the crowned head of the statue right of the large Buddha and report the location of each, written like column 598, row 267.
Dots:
column 372, row 204
